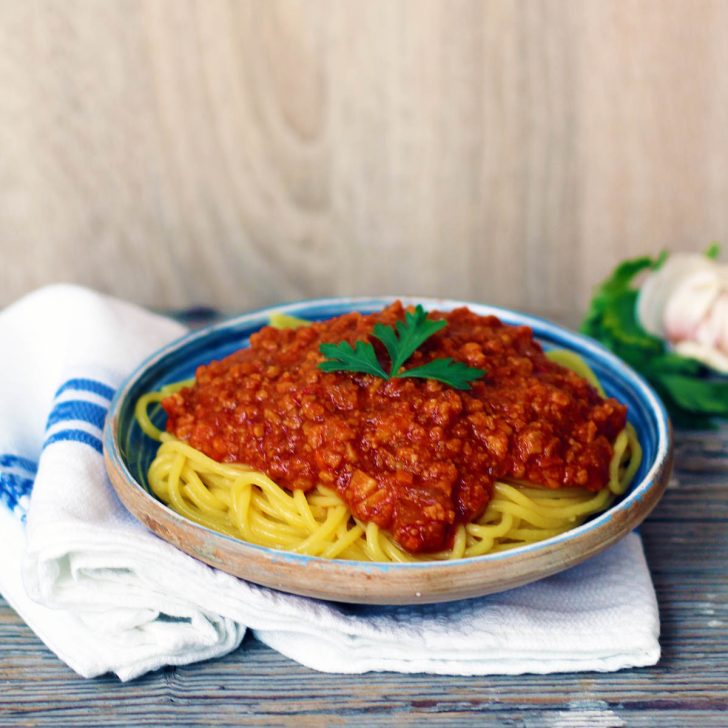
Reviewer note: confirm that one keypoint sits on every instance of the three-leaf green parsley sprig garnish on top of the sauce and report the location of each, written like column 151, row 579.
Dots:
column 401, row 341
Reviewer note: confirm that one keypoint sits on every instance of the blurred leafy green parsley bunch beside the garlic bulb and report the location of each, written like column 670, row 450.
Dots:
column 691, row 397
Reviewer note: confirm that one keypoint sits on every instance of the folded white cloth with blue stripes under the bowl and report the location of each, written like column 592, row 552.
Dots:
column 107, row 595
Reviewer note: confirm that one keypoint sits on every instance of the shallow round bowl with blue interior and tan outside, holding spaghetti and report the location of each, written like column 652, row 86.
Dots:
column 128, row 453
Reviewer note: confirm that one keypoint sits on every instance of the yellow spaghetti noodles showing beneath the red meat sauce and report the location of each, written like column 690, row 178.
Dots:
column 247, row 504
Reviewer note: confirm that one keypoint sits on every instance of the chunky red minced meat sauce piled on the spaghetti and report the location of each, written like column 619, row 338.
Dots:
column 414, row 456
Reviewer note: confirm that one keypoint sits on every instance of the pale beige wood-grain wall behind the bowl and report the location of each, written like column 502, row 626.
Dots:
column 240, row 153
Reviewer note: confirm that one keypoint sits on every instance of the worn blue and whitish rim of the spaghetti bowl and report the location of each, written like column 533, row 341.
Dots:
column 572, row 340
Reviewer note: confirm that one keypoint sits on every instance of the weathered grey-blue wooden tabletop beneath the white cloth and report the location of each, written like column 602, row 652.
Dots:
column 687, row 547
